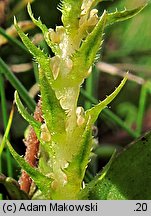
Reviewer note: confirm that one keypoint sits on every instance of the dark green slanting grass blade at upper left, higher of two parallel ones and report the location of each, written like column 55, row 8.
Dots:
column 13, row 41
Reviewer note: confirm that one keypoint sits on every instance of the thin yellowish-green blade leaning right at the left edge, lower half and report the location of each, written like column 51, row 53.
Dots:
column 5, row 137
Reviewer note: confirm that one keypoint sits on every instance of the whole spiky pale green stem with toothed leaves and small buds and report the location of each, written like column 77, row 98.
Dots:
column 65, row 136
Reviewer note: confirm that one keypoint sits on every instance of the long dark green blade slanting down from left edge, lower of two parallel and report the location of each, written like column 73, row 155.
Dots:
column 17, row 85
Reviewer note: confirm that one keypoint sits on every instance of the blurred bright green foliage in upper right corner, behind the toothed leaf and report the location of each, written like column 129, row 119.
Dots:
column 132, row 38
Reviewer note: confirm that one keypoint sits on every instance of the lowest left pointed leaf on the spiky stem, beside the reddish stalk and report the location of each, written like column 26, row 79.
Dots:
column 43, row 182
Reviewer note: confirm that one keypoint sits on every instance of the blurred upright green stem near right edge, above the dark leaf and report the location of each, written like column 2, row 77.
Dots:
column 141, row 108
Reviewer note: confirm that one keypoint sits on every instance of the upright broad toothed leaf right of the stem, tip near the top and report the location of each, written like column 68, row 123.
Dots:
column 88, row 50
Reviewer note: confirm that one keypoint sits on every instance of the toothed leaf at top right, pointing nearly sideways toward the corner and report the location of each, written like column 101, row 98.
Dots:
column 118, row 16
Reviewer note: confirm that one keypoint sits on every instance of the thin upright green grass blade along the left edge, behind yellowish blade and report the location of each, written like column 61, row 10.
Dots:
column 5, row 120
